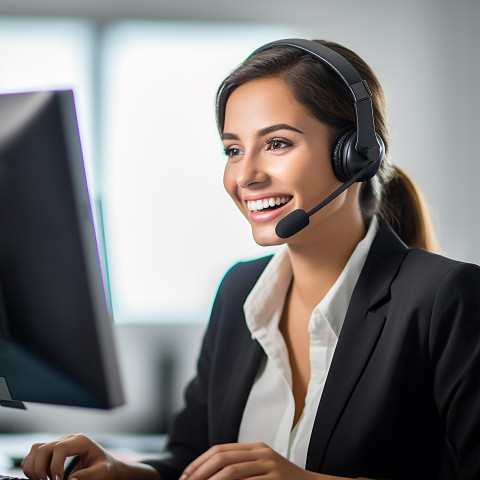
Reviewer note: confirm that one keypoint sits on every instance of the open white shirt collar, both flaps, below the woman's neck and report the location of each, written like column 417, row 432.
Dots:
column 264, row 304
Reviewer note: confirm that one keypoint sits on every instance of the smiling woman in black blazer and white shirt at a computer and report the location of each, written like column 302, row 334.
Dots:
column 347, row 354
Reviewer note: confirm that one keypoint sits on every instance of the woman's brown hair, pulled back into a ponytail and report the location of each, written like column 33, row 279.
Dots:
column 391, row 193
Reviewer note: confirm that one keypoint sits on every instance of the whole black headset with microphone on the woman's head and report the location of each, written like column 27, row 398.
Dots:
column 358, row 152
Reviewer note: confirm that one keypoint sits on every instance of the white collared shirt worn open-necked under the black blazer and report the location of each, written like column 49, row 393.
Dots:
column 270, row 408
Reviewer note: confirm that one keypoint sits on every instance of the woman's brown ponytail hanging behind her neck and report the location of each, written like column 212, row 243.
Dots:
column 404, row 207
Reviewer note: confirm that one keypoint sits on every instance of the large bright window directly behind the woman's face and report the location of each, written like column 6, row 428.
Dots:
column 171, row 230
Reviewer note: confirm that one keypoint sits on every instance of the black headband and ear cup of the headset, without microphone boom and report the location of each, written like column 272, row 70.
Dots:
column 356, row 148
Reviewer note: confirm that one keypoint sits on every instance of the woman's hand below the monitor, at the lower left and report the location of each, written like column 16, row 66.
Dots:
column 46, row 460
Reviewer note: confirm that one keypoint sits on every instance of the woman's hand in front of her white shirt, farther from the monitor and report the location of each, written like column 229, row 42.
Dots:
column 243, row 461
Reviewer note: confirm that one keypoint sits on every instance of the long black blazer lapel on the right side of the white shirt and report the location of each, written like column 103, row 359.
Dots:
column 360, row 332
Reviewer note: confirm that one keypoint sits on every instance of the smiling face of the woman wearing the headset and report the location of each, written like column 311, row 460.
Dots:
column 278, row 159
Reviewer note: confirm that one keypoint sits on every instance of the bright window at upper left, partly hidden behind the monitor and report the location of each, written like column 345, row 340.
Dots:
column 50, row 54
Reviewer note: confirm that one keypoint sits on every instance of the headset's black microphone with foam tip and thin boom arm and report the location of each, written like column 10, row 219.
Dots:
column 299, row 219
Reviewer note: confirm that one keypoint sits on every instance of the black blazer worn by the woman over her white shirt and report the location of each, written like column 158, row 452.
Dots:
column 402, row 397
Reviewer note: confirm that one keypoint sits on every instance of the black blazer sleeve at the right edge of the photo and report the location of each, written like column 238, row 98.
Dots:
column 455, row 357
